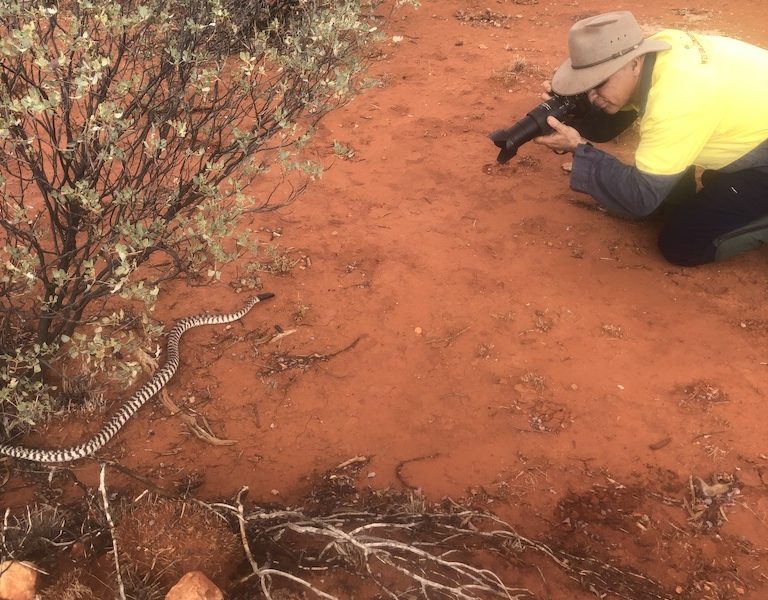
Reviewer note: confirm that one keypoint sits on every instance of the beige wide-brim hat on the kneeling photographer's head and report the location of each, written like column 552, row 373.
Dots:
column 598, row 47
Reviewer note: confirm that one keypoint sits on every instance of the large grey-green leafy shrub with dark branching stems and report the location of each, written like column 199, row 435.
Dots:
column 133, row 136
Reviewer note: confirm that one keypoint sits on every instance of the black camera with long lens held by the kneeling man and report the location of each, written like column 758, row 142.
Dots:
column 534, row 124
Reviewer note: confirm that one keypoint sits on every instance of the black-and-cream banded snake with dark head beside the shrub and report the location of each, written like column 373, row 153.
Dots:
column 158, row 380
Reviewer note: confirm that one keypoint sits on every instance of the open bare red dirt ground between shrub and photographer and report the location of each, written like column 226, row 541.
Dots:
column 513, row 341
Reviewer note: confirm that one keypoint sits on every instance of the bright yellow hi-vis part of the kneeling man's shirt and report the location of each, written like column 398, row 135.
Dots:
column 707, row 104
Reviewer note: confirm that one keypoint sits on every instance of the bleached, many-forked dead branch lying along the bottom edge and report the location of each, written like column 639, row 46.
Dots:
column 431, row 552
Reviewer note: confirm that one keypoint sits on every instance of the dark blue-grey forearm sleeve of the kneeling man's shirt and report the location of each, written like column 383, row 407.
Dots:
column 621, row 189
